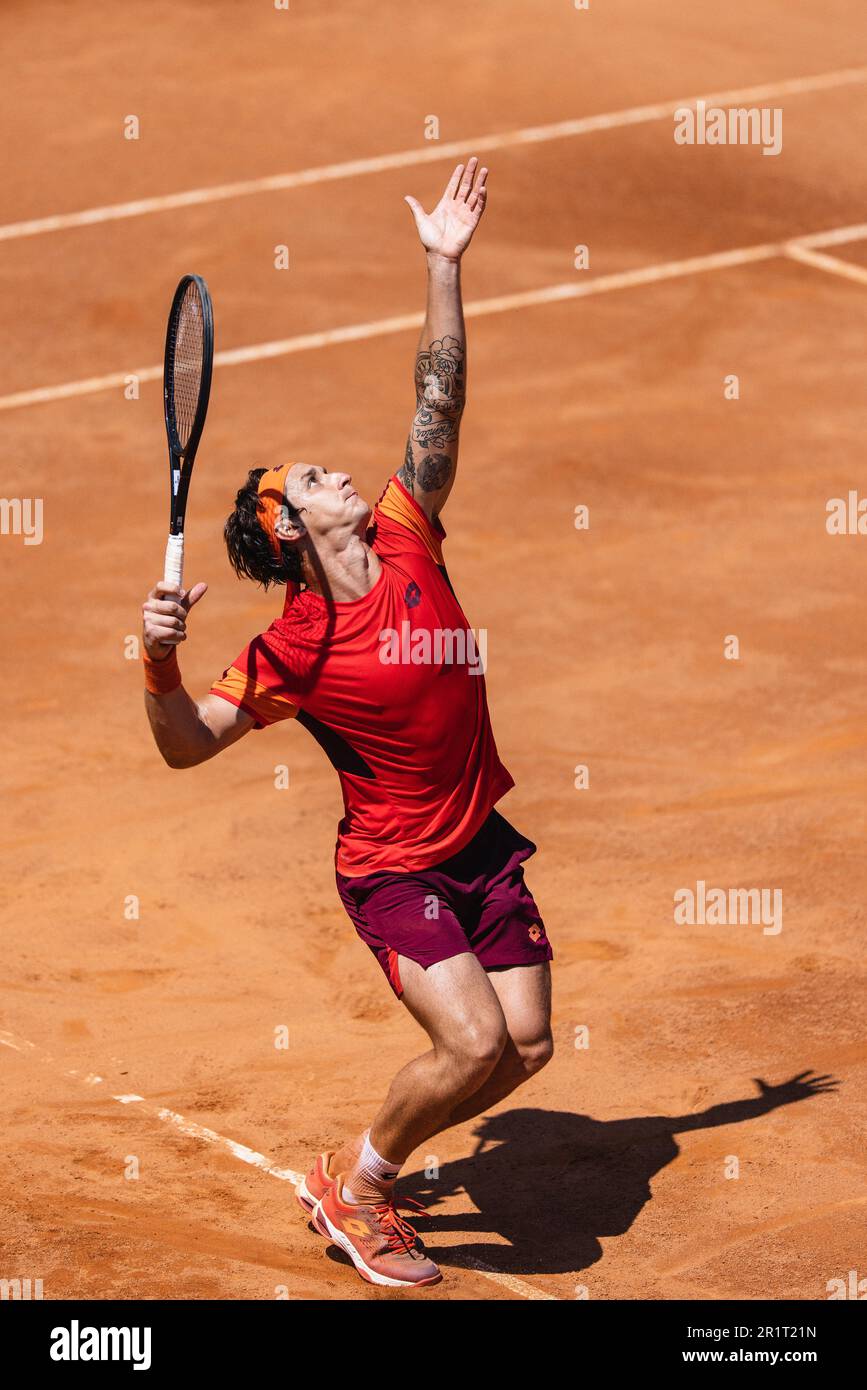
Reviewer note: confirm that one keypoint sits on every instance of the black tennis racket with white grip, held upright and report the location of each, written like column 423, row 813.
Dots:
column 187, row 386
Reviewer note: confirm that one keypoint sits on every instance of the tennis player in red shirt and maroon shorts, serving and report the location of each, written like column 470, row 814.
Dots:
column 374, row 658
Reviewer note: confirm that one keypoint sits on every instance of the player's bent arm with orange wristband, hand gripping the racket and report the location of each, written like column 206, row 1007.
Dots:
column 187, row 732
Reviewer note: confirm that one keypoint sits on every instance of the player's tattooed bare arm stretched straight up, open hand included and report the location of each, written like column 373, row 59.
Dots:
column 441, row 362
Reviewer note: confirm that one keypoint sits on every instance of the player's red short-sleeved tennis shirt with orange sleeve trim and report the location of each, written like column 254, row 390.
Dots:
column 393, row 687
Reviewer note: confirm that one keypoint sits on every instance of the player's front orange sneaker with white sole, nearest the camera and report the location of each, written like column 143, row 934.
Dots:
column 381, row 1245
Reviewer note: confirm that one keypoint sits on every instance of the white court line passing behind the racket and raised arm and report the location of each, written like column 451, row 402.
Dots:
column 476, row 309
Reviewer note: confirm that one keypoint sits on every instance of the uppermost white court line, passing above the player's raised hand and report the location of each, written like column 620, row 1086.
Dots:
column 429, row 155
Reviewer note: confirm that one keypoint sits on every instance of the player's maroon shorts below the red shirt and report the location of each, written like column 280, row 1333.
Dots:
column 474, row 901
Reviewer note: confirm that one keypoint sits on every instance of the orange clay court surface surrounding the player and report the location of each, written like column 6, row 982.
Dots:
column 606, row 1174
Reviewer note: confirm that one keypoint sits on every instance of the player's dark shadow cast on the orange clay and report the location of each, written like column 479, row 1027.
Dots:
column 555, row 1184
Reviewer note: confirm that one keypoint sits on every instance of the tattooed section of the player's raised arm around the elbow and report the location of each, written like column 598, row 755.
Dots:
column 440, row 404
